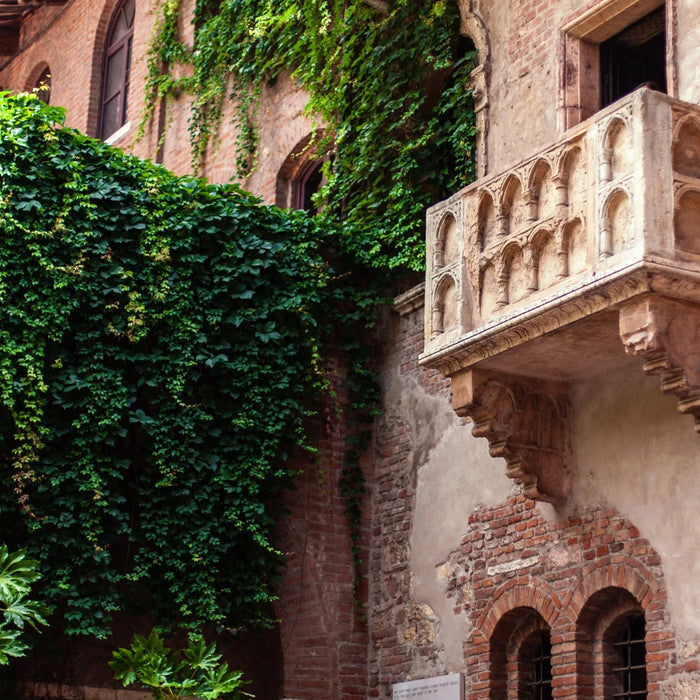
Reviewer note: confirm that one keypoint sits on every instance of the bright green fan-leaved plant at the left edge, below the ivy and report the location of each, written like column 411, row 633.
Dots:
column 17, row 573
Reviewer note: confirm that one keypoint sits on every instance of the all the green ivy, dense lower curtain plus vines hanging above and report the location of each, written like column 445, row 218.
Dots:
column 162, row 340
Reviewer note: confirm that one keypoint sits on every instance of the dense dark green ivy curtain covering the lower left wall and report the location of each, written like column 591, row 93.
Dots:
column 161, row 346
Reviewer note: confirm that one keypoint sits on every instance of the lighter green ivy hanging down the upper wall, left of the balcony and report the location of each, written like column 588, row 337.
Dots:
column 391, row 88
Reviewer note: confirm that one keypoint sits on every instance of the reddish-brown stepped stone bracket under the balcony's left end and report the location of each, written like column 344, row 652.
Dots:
column 526, row 423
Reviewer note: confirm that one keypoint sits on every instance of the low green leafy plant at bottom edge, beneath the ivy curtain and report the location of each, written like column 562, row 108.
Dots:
column 194, row 672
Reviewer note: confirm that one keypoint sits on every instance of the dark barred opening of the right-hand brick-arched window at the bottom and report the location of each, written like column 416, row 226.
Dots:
column 627, row 674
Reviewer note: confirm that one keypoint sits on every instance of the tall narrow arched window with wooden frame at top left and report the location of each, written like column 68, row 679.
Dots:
column 116, row 69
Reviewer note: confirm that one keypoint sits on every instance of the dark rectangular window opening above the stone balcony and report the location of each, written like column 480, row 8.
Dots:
column 634, row 57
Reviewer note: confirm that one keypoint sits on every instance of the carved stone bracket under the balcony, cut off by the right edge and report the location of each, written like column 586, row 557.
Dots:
column 665, row 334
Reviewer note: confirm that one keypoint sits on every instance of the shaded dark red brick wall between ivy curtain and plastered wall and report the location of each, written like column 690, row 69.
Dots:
column 324, row 641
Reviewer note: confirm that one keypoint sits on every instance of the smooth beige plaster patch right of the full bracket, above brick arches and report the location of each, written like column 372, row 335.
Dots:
column 635, row 452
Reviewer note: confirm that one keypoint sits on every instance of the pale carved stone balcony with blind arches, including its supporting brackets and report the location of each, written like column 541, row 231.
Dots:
column 569, row 265
